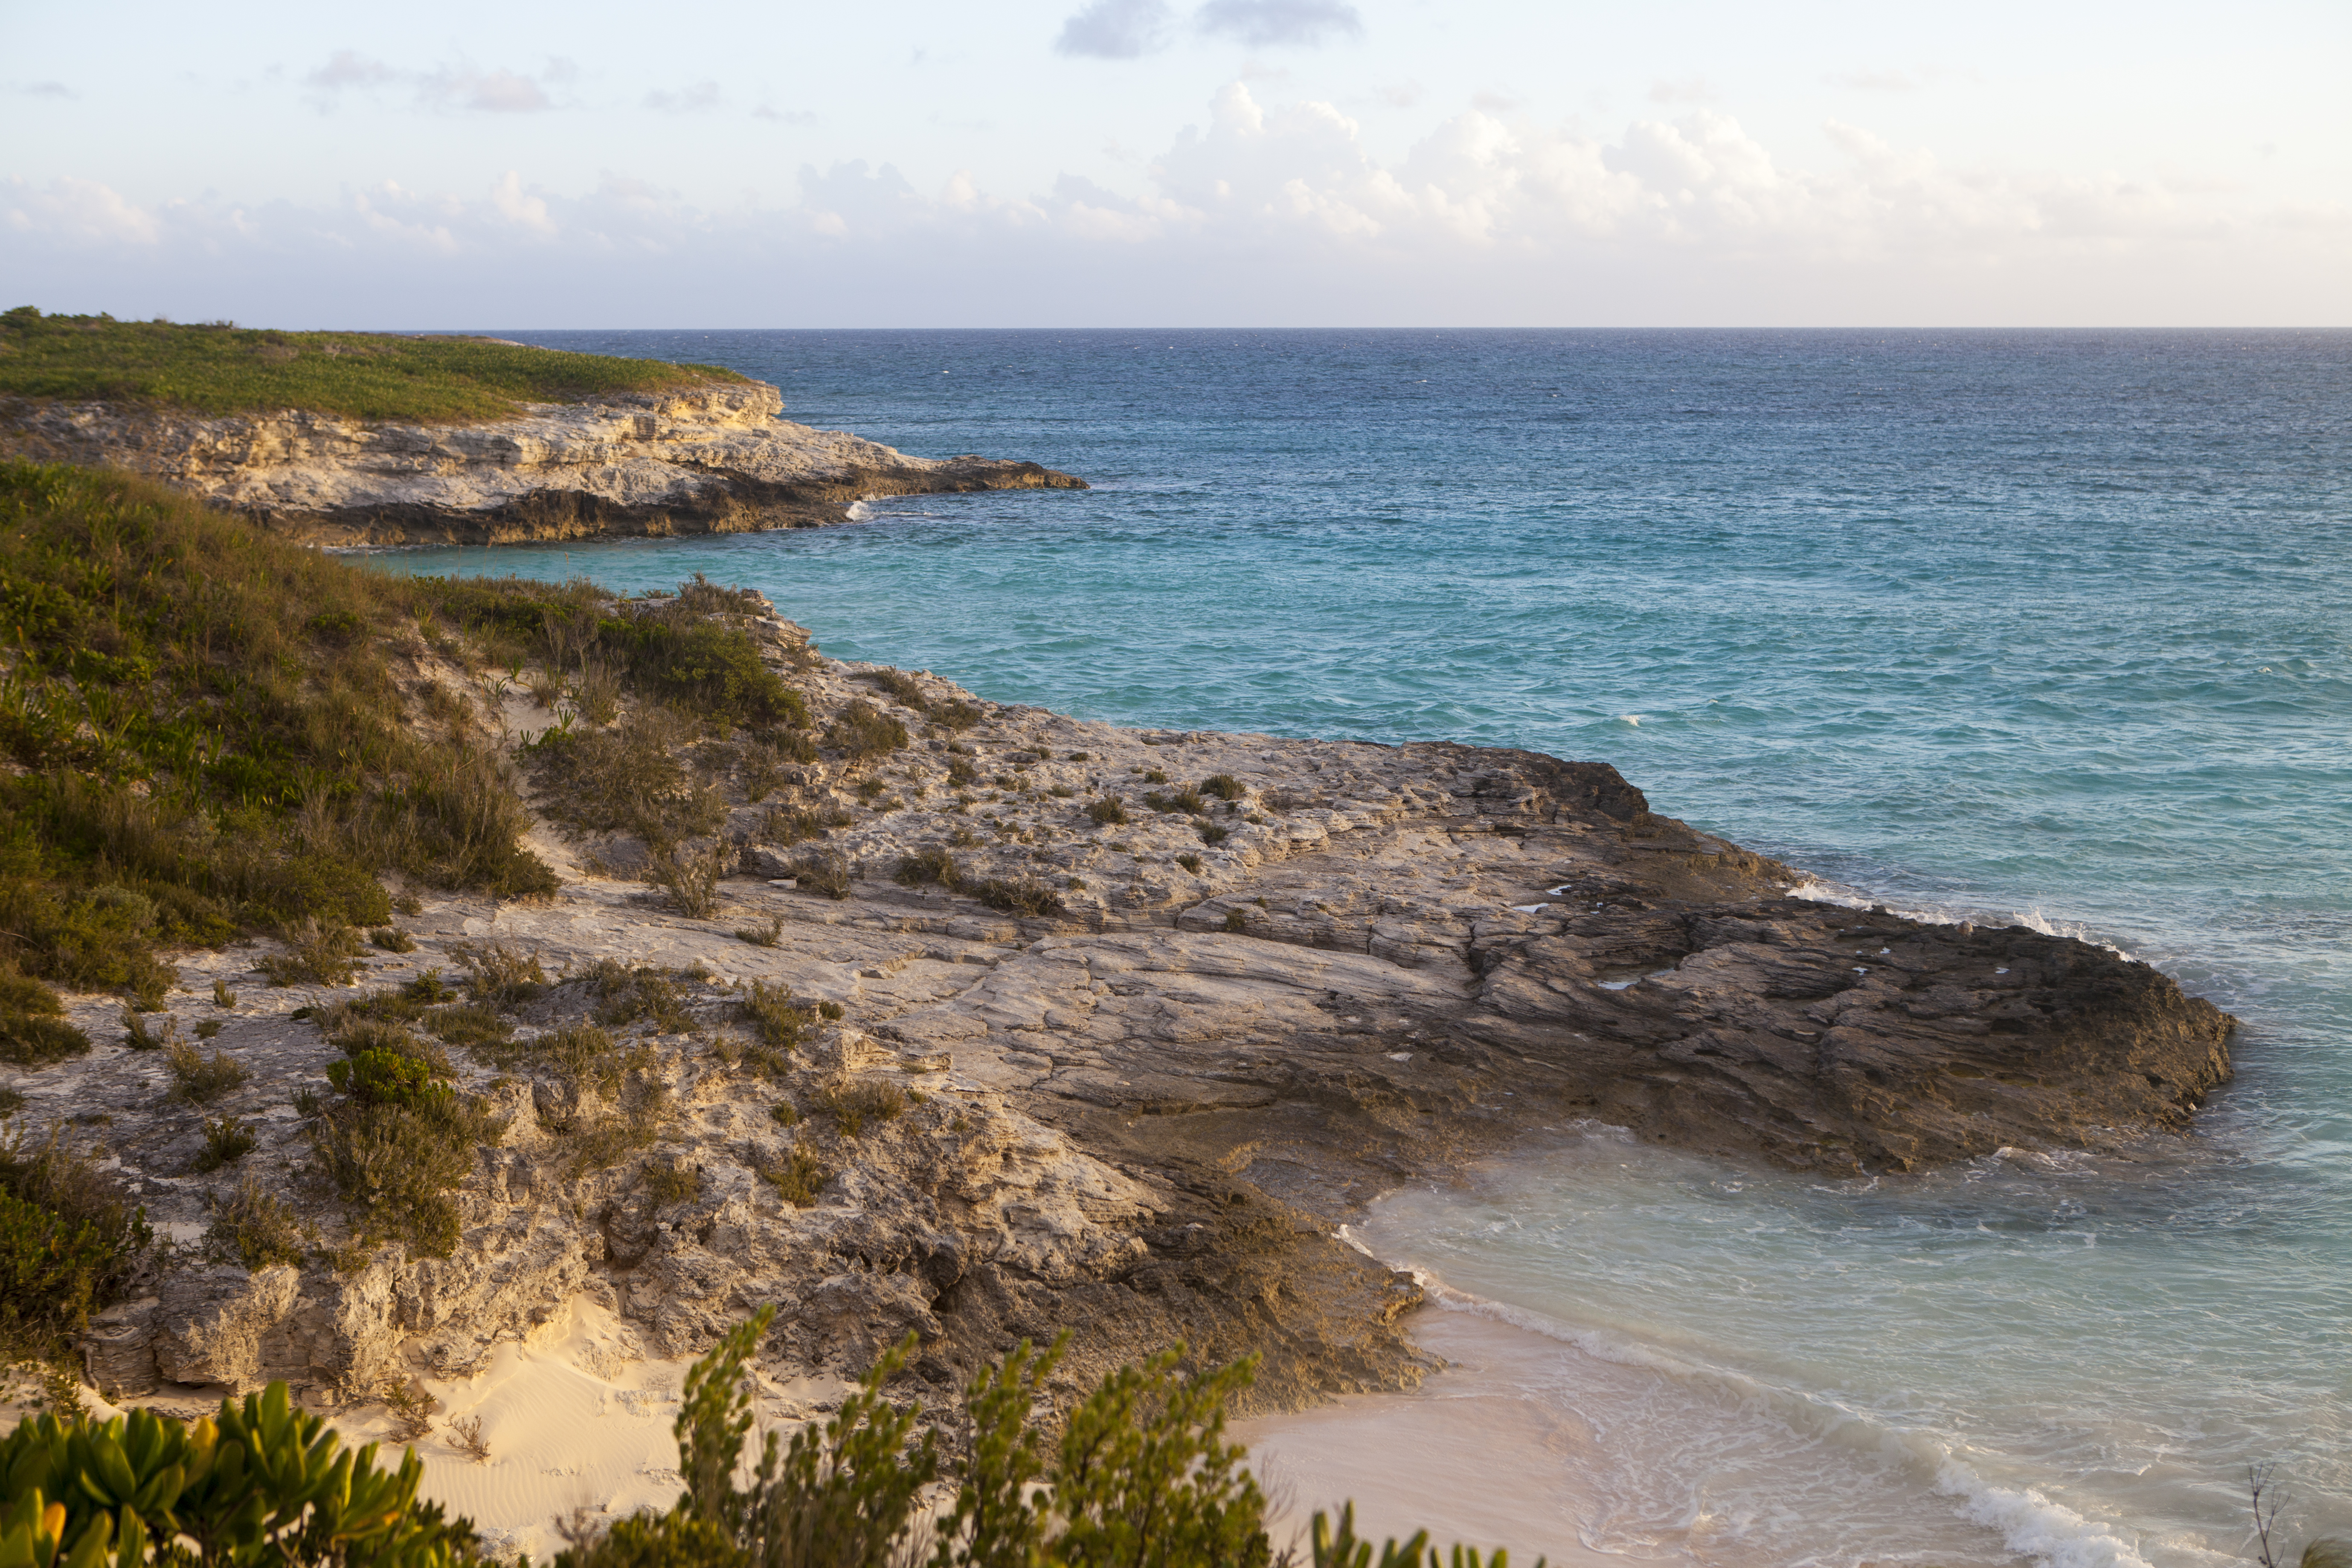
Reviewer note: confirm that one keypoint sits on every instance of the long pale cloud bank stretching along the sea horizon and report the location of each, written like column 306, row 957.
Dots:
column 1269, row 210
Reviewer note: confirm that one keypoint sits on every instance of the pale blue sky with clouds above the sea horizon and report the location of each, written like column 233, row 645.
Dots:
column 1182, row 163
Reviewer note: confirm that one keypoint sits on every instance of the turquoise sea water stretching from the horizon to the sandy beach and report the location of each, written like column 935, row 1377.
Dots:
column 1993, row 624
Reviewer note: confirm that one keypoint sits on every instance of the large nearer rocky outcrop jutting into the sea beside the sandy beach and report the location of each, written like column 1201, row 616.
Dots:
column 1125, row 1068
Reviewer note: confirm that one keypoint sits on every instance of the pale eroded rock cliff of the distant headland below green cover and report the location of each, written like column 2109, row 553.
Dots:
column 714, row 460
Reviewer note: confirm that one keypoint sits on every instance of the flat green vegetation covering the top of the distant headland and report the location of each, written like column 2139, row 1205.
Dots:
column 363, row 375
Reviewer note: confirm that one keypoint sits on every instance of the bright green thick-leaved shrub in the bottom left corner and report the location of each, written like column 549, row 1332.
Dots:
column 258, row 1485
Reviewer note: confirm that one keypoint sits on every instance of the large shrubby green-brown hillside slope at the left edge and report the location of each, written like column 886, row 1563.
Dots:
column 208, row 735
